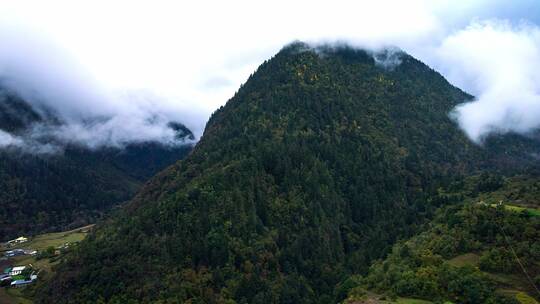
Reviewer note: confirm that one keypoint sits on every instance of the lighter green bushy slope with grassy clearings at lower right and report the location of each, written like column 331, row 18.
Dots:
column 476, row 250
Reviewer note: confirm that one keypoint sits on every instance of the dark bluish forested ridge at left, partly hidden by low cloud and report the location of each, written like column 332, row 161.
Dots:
column 47, row 192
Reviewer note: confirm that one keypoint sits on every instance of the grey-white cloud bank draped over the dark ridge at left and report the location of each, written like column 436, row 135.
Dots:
column 76, row 108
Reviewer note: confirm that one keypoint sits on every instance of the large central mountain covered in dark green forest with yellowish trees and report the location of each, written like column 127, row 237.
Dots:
column 321, row 161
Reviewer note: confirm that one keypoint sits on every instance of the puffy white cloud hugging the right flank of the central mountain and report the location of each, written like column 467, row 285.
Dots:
column 499, row 63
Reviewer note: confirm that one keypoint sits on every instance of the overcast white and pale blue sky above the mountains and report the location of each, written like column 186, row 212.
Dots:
column 144, row 63
